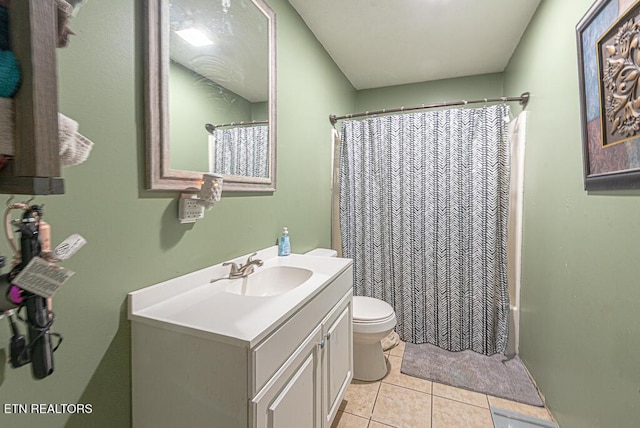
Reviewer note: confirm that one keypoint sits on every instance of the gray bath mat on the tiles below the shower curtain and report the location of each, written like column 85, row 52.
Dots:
column 496, row 375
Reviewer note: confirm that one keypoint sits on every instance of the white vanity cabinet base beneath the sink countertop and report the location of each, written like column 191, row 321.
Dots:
column 294, row 374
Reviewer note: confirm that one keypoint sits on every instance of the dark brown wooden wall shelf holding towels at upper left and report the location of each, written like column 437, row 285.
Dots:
column 35, row 167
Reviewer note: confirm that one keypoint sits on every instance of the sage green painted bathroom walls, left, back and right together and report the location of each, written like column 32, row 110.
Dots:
column 580, row 294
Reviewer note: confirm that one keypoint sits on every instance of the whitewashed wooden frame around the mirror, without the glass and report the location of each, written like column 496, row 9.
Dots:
column 159, row 173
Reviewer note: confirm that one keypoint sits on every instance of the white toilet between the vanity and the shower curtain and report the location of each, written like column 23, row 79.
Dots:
column 373, row 320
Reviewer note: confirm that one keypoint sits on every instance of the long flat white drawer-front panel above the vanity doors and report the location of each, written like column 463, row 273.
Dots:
column 268, row 356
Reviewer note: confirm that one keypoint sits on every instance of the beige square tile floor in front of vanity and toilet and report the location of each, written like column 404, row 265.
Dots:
column 403, row 401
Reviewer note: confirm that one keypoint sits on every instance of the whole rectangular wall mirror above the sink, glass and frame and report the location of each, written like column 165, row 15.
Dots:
column 216, row 94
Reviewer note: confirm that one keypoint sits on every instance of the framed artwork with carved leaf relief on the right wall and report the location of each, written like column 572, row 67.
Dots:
column 609, row 93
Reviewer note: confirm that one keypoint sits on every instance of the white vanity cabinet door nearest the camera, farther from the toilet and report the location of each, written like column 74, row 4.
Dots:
column 292, row 398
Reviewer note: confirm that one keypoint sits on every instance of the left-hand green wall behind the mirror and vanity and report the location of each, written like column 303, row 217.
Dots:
column 134, row 237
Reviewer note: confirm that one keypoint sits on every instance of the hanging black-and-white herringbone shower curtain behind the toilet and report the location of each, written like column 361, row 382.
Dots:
column 423, row 213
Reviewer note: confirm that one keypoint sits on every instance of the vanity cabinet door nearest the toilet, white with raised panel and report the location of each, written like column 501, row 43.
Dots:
column 338, row 356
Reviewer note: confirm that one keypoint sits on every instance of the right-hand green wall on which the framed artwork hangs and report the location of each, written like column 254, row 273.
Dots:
column 580, row 326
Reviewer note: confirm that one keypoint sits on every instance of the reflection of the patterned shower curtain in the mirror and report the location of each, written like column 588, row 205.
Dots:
column 243, row 150
